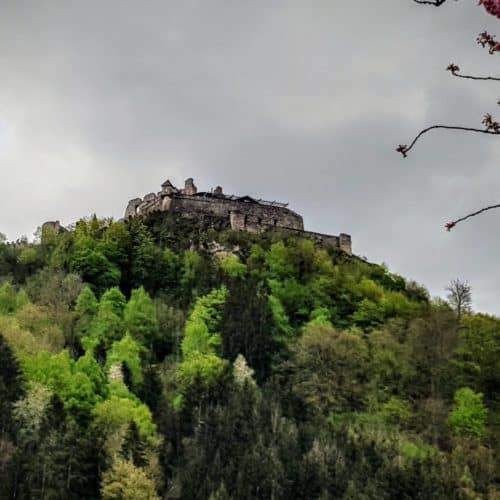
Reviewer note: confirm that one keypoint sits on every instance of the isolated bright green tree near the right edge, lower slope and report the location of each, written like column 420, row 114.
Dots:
column 469, row 414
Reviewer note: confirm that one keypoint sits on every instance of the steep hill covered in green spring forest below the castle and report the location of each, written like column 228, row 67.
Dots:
column 164, row 358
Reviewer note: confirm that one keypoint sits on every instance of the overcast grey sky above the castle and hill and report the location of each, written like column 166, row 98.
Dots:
column 301, row 101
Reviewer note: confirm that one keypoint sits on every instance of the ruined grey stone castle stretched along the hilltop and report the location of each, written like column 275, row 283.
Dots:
column 243, row 213
